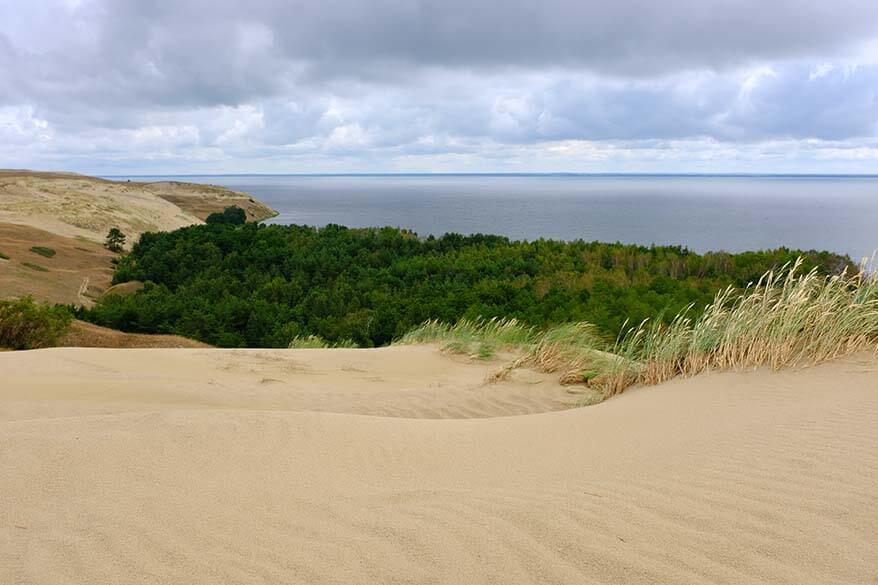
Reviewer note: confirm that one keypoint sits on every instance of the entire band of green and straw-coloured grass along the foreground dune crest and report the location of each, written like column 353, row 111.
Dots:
column 788, row 318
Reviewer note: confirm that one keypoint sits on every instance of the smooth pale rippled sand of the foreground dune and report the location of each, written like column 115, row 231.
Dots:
column 400, row 466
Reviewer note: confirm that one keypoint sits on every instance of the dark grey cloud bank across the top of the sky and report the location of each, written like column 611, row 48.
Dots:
column 212, row 52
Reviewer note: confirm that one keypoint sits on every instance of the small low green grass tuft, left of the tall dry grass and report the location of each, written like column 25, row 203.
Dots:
column 477, row 338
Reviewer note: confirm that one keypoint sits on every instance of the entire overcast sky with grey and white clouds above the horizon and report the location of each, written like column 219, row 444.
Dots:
column 192, row 86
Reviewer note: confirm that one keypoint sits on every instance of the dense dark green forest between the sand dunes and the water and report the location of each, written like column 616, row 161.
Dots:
column 258, row 285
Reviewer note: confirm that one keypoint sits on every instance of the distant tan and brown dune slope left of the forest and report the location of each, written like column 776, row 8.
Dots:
column 72, row 214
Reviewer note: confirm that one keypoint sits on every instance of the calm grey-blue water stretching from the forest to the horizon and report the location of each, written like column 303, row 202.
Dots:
column 732, row 213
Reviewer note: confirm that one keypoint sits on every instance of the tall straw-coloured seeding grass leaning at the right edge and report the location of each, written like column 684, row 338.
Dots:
column 788, row 318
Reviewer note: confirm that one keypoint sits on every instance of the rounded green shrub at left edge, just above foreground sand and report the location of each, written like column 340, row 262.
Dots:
column 25, row 324
